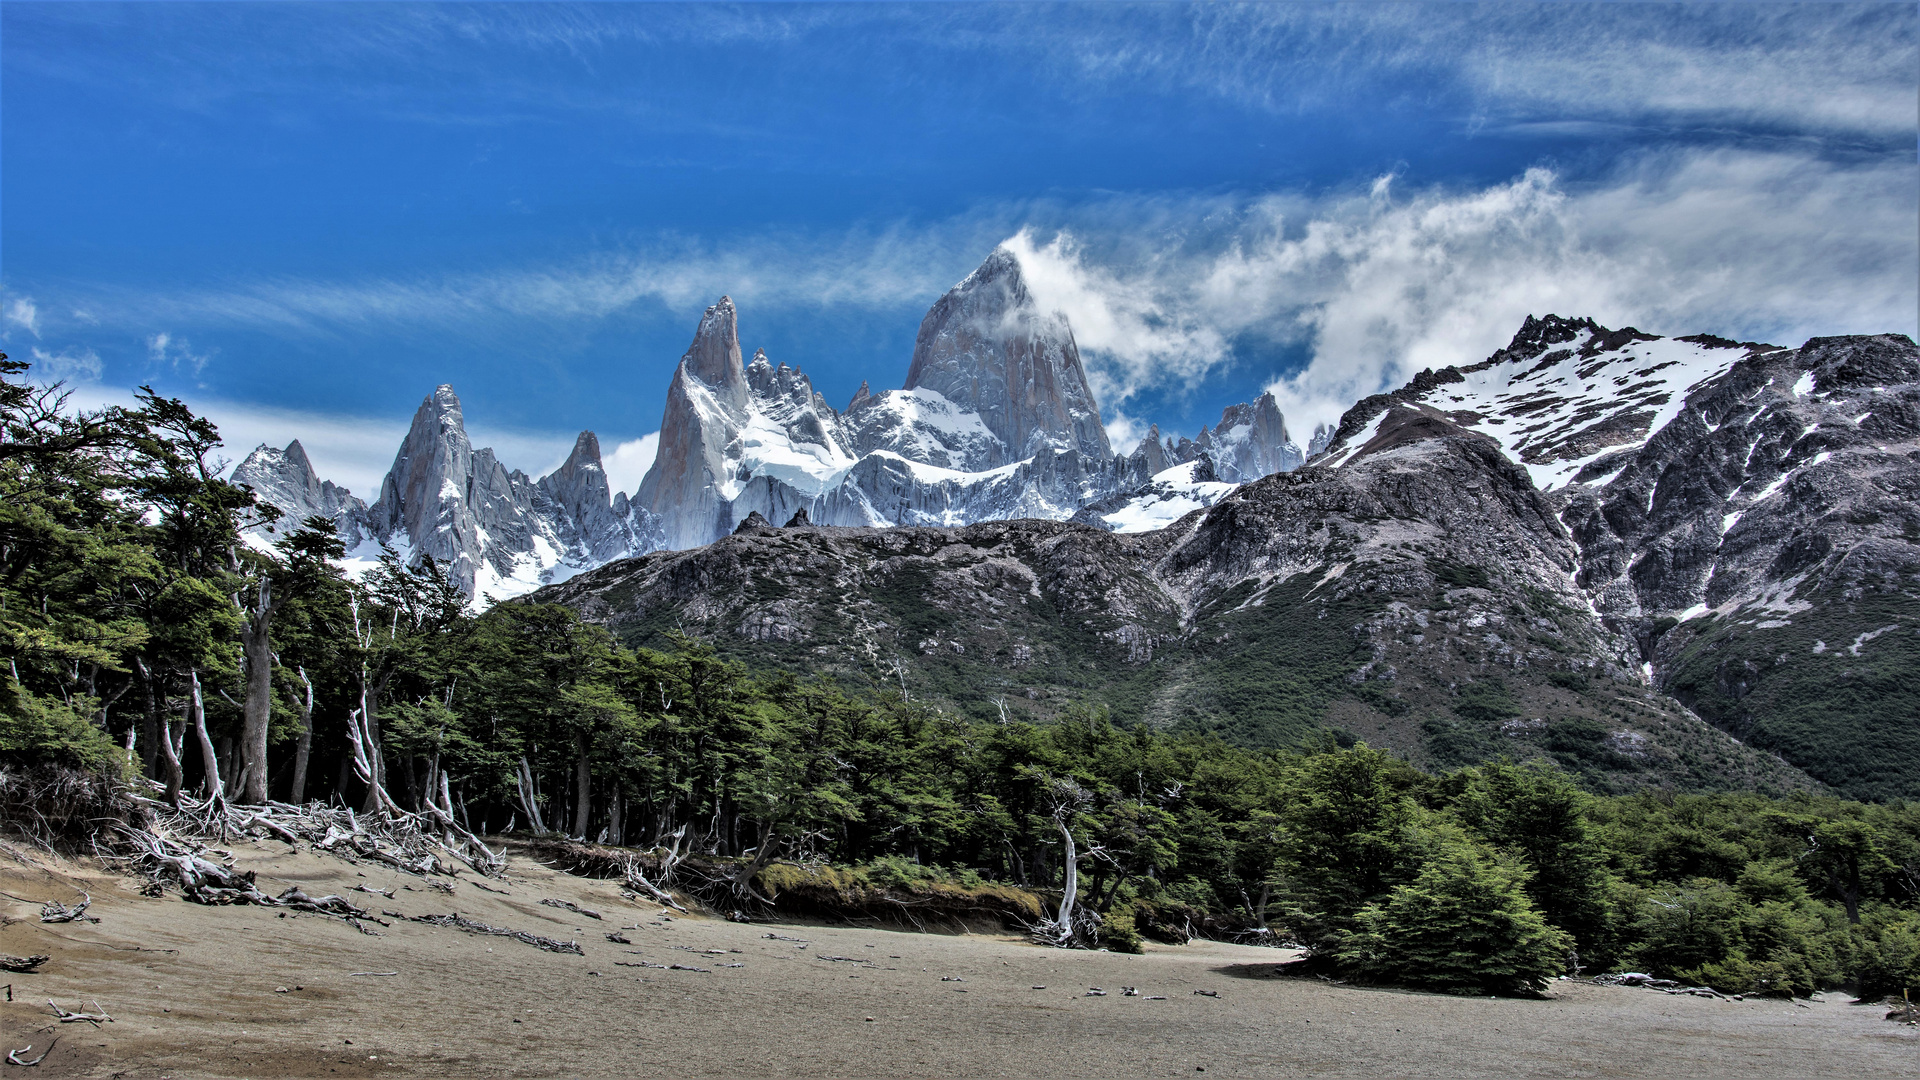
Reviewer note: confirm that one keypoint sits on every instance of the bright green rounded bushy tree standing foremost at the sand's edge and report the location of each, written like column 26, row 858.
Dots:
column 1462, row 925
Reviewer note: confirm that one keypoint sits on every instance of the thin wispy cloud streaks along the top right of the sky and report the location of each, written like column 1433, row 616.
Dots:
column 1823, row 70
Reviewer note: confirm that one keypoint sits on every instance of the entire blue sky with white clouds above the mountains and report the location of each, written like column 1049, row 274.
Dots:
column 304, row 216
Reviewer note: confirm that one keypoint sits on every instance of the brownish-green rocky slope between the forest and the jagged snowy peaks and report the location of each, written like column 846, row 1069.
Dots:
column 1420, row 597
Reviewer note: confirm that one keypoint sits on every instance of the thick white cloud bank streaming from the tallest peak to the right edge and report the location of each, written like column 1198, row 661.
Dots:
column 1378, row 285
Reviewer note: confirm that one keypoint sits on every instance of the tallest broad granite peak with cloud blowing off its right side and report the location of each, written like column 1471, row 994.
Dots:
column 992, row 351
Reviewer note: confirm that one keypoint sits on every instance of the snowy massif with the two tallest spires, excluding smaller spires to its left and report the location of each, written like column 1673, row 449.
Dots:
column 996, row 422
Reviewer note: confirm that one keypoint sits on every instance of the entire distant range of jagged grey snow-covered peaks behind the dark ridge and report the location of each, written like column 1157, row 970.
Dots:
column 994, row 422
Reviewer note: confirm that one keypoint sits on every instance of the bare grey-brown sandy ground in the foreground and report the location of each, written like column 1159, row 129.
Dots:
column 193, row 993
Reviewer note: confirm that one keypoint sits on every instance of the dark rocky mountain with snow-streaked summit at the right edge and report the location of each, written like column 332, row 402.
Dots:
column 1742, row 512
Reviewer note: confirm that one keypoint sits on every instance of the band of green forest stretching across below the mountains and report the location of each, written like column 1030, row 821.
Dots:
column 153, row 645
